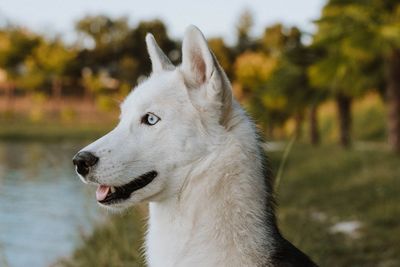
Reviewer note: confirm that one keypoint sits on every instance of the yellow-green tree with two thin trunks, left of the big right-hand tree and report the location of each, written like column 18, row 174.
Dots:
column 290, row 76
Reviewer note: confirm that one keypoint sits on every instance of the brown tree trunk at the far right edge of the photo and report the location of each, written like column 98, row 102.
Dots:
column 393, row 100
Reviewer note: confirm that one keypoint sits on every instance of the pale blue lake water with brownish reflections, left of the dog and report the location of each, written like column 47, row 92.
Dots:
column 44, row 207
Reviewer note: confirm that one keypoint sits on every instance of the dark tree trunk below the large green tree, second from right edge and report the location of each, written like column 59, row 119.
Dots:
column 344, row 110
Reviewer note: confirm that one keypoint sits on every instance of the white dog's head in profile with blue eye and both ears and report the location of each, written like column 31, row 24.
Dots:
column 167, row 123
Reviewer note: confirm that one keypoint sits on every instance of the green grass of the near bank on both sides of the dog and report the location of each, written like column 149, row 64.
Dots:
column 319, row 188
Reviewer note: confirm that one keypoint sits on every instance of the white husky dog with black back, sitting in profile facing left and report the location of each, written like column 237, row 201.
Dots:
column 185, row 146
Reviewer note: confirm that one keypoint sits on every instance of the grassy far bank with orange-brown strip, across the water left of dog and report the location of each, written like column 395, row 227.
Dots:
column 30, row 119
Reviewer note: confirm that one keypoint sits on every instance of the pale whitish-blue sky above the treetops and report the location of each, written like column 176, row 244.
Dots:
column 213, row 17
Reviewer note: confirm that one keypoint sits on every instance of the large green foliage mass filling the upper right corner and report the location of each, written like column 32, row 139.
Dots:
column 356, row 37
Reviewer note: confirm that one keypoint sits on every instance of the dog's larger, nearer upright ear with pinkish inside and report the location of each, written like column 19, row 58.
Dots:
column 200, row 67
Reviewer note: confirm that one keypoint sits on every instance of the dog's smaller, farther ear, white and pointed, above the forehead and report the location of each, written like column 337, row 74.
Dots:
column 159, row 60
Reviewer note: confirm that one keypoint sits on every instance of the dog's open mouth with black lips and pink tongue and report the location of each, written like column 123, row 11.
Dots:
column 108, row 195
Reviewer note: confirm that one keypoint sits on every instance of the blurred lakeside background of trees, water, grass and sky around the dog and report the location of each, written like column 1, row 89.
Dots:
column 321, row 78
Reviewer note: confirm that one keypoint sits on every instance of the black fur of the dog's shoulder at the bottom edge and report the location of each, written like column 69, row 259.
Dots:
column 287, row 255
